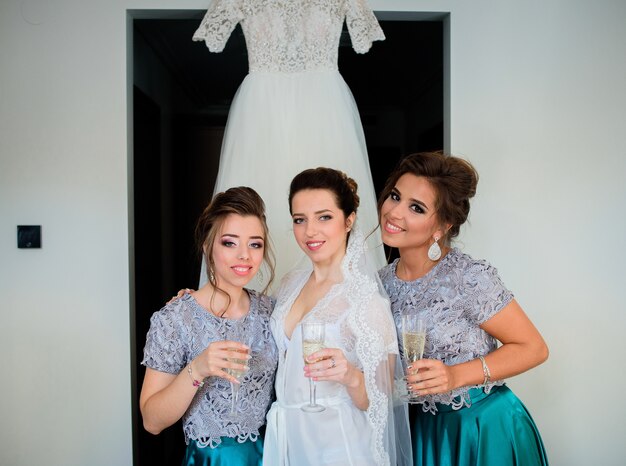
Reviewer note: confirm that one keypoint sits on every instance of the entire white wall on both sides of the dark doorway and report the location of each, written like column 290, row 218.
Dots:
column 537, row 103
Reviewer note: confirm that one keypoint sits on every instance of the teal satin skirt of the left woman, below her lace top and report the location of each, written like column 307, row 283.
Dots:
column 228, row 453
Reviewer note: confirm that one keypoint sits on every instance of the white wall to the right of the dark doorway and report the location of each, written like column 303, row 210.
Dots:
column 538, row 104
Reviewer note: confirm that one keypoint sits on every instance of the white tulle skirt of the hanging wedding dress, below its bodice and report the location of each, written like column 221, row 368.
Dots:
column 282, row 123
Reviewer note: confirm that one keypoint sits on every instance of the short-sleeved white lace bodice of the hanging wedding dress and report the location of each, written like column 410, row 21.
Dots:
column 290, row 36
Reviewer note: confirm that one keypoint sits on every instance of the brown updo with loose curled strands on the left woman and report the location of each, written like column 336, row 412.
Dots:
column 242, row 201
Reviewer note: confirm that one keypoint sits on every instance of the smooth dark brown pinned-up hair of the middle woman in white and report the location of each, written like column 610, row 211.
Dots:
column 337, row 182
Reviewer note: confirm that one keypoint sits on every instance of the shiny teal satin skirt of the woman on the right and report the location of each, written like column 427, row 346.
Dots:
column 496, row 430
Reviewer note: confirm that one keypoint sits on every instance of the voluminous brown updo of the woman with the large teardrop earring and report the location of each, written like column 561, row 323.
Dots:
column 453, row 179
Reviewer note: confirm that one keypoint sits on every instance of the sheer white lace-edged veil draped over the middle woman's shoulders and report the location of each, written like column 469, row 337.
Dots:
column 369, row 342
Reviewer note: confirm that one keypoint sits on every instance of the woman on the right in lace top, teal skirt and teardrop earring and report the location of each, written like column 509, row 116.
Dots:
column 466, row 415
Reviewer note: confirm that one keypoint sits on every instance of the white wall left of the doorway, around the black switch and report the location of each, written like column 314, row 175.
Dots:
column 65, row 367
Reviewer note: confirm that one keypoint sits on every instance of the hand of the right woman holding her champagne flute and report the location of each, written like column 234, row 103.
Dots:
column 430, row 376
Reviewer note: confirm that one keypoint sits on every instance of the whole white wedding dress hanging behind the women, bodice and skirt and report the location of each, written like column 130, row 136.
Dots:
column 293, row 110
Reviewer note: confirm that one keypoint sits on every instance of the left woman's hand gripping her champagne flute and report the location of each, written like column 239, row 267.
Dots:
column 214, row 360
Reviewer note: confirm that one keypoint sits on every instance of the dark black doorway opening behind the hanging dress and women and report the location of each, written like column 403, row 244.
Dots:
column 182, row 94
